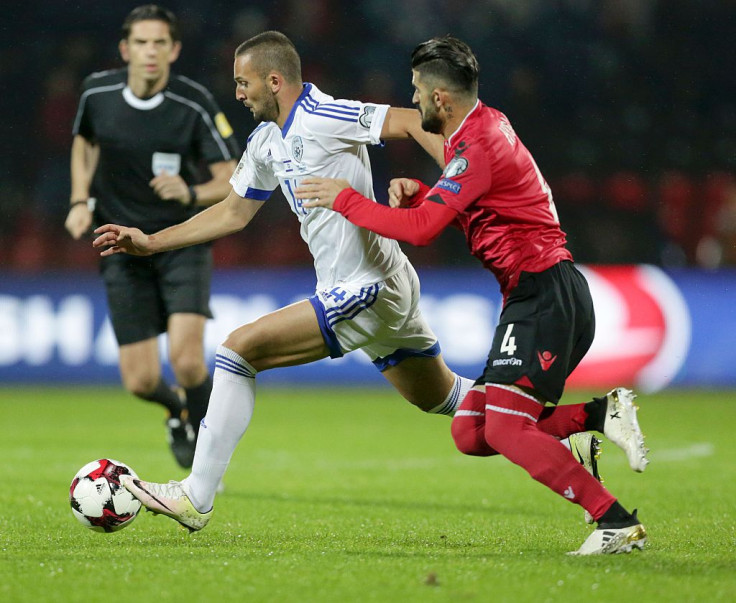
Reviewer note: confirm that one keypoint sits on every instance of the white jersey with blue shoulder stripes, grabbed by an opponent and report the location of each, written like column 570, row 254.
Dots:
column 327, row 138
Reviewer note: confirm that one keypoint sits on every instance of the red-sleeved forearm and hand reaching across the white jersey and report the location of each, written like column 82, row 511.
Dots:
column 419, row 225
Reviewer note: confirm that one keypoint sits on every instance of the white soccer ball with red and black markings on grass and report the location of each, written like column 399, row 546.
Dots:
column 97, row 498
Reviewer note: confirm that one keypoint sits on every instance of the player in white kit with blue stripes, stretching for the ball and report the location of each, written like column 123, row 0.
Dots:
column 367, row 291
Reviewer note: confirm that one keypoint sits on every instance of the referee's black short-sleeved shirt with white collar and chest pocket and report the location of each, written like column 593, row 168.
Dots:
column 176, row 130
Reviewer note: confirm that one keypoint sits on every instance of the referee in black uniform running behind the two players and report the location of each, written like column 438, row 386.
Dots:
column 143, row 140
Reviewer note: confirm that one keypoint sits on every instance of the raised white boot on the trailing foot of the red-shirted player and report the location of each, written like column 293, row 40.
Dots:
column 622, row 428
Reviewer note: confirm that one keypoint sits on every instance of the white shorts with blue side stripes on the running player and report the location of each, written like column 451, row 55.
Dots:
column 382, row 319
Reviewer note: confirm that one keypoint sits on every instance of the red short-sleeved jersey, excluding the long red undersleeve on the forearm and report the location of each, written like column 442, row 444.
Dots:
column 504, row 205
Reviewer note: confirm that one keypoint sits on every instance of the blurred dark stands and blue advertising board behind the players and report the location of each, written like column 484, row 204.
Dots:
column 629, row 107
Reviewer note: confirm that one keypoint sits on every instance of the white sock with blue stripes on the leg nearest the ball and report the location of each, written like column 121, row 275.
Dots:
column 228, row 415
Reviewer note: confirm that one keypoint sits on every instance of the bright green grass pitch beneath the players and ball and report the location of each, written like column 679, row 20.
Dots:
column 352, row 495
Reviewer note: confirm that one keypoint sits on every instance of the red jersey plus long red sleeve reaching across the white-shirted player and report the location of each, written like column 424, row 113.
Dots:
column 496, row 194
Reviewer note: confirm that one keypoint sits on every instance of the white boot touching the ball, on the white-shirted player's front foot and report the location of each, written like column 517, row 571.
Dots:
column 167, row 499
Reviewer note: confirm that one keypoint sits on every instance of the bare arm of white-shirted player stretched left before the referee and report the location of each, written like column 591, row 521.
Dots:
column 219, row 220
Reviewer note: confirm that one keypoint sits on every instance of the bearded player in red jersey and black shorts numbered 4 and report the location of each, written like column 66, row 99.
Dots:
column 493, row 190
